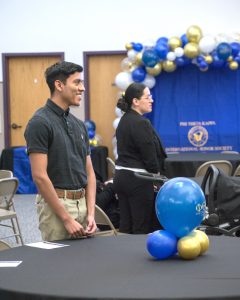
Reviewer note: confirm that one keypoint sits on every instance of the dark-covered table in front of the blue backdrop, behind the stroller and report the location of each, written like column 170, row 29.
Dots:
column 186, row 164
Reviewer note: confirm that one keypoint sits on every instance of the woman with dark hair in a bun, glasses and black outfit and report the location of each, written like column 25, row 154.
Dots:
column 139, row 150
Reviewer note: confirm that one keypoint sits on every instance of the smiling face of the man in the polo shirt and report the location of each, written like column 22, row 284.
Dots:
column 72, row 90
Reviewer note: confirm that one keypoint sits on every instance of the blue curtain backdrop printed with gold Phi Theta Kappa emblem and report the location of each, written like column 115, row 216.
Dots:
column 197, row 111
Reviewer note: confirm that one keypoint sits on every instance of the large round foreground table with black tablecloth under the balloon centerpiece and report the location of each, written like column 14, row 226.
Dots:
column 120, row 268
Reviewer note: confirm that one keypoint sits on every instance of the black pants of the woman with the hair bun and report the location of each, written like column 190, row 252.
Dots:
column 136, row 203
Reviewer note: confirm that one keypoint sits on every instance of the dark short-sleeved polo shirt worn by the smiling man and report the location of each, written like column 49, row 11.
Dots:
column 64, row 139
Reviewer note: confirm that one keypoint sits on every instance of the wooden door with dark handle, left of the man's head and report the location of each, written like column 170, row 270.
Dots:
column 27, row 91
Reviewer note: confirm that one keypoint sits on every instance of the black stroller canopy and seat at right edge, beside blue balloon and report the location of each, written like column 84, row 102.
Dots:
column 223, row 199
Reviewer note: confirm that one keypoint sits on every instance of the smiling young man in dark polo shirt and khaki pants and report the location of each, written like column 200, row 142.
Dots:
column 59, row 153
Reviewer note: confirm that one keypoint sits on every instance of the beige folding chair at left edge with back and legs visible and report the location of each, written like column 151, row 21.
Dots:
column 8, row 188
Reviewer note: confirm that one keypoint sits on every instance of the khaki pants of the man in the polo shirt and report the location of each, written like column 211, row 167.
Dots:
column 51, row 226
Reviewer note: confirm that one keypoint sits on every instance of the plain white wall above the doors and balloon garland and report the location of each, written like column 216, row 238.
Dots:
column 74, row 26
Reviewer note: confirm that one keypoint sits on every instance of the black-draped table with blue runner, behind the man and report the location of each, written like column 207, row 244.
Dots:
column 16, row 160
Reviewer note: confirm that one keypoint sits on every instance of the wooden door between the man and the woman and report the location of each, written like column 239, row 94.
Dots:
column 103, row 94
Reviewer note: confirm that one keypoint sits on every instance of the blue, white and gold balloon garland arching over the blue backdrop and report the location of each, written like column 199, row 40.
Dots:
column 146, row 61
